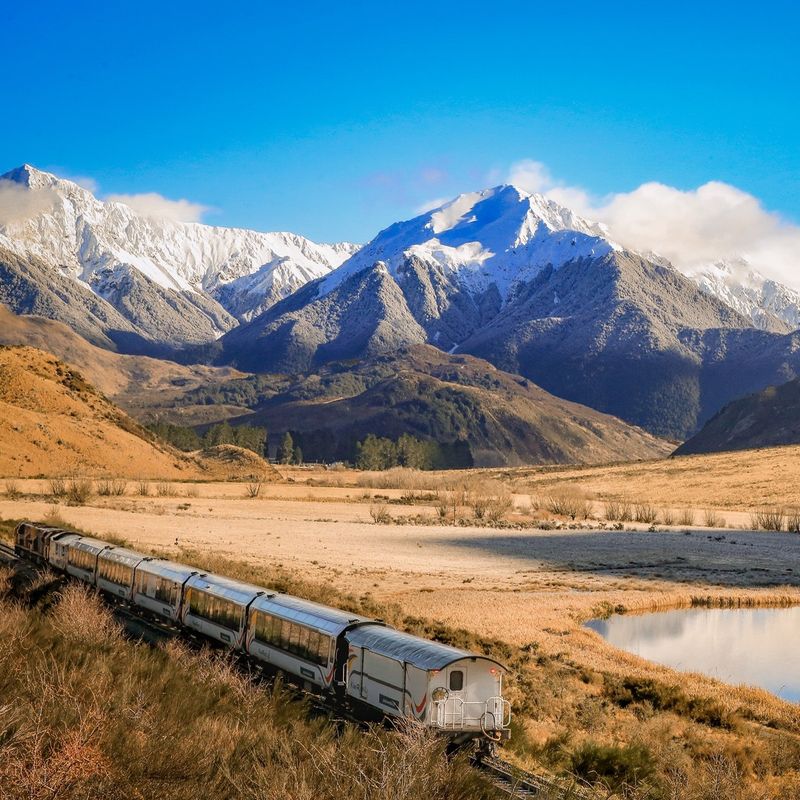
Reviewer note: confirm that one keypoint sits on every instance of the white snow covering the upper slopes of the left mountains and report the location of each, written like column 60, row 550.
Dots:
column 91, row 240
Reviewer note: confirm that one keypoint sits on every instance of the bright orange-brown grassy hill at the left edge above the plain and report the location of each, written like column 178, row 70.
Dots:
column 53, row 422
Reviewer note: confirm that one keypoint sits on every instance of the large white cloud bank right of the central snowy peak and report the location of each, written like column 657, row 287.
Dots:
column 692, row 228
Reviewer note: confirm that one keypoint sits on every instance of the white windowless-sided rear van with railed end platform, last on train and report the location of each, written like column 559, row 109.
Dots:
column 443, row 687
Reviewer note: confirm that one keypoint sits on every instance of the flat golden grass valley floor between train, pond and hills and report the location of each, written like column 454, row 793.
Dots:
column 530, row 588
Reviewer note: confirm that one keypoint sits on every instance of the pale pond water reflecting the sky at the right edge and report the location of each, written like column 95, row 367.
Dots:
column 759, row 647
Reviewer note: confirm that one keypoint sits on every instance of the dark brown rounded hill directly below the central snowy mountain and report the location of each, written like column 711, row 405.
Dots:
column 507, row 420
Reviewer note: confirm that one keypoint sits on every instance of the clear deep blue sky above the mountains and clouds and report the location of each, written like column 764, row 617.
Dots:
column 335, row 119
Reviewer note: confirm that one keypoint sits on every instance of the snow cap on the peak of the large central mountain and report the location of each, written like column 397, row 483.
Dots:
column 501, row 236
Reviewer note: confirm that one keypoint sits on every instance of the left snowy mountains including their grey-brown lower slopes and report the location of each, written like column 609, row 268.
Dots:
column 141, row 283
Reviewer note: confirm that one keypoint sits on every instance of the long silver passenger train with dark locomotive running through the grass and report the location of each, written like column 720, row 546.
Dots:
column 362, row 663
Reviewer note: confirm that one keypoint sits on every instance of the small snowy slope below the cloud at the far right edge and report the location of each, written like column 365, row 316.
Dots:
column 764, row 301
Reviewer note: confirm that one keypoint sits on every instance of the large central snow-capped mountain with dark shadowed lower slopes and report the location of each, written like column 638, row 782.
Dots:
column 524, row 283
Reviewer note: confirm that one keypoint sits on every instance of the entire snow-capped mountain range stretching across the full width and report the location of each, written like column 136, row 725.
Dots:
column 502, row 274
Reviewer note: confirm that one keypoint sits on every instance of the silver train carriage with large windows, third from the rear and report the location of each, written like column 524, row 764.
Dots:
column 217, row 607
